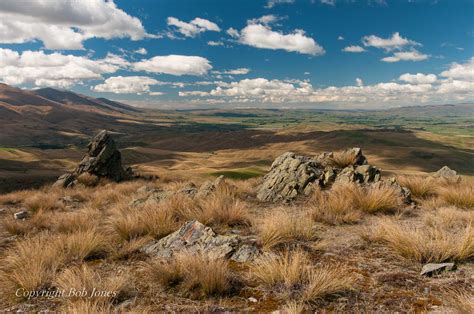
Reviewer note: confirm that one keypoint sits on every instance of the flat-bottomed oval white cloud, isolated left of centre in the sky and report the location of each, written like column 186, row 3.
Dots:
column 174, row 65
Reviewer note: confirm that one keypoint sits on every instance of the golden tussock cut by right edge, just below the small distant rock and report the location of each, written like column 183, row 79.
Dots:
column 460, row 195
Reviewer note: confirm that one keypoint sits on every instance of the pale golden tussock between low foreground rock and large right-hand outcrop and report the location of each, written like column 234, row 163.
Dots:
column 281, row 226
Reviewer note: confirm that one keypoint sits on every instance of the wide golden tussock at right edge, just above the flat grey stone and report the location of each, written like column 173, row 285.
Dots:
column 439, row 238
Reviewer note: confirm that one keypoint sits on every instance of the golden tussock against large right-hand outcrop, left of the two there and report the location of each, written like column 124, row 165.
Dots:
column 336, row 206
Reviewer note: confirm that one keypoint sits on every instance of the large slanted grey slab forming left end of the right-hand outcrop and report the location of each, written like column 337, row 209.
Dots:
column 289, row 176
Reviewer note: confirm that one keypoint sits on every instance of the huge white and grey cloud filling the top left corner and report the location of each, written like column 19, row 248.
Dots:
column 65, row 24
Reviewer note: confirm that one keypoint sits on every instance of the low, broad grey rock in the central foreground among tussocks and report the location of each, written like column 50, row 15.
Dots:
column 195, row 238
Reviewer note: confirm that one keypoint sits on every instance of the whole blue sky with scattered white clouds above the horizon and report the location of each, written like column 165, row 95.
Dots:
column 174, row 54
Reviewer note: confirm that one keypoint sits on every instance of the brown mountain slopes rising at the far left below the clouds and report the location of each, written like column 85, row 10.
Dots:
column 27, row 117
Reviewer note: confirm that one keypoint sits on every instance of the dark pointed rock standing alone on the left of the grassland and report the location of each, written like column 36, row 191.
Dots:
column 103, row 160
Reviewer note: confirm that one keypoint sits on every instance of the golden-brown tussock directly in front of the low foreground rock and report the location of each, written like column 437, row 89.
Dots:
column 195, row 276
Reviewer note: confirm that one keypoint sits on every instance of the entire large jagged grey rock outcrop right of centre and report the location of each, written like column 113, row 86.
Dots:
column 292, row 175
